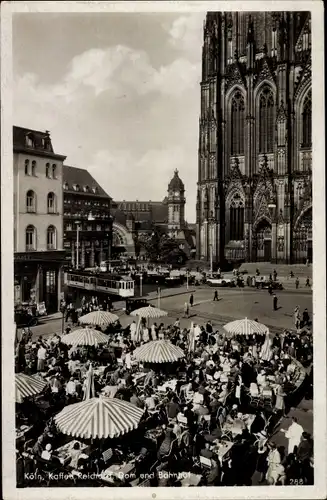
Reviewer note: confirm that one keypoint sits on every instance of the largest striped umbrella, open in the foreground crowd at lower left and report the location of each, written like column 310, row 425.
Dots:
column 98, row 418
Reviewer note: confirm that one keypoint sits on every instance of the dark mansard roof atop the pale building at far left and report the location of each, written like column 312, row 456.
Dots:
column 33, row 142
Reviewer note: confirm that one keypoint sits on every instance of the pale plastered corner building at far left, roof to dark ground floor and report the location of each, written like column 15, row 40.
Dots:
column 38, row 219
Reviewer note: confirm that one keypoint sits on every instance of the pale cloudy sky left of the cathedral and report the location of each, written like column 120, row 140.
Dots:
column 119, row 94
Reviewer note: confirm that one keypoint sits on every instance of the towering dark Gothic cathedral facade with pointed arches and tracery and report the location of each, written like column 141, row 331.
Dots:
column 254, row 199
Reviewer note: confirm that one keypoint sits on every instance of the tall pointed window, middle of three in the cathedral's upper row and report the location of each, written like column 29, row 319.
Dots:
column 266, row 121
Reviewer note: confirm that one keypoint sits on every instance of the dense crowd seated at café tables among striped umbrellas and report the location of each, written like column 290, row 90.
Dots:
column 211, row 415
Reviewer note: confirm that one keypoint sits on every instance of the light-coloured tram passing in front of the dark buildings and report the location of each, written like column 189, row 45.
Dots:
column 118, row 286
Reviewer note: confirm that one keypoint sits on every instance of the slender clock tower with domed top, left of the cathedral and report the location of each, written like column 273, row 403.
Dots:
column 176, row 205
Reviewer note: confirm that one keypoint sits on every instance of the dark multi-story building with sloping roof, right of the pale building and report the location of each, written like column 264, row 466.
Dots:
column 87, row 219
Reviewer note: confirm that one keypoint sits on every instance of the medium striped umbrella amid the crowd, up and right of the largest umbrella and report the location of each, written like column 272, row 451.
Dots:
column 158, row 351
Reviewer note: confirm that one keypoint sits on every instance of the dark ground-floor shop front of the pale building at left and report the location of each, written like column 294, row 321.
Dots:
column 38, row 278
